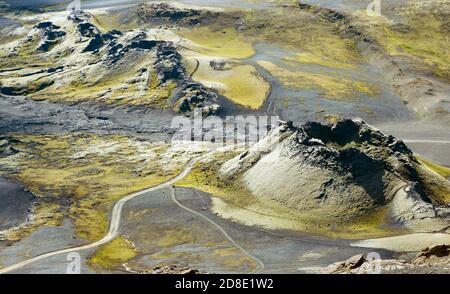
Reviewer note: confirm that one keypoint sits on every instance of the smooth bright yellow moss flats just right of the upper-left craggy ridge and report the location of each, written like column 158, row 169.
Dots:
column 240, row 83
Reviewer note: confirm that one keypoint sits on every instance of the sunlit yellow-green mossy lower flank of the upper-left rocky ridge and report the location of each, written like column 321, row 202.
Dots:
column 119, row 85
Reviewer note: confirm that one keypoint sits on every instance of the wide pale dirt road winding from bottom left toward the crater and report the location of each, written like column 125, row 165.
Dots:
column 114, row 224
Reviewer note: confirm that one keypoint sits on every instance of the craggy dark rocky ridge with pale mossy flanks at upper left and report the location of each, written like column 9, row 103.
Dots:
column 83, row 56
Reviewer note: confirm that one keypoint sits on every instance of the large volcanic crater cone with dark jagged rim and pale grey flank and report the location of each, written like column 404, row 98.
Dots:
column 342, row 172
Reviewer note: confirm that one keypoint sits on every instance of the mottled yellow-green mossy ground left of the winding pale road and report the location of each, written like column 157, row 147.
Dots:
column 90, row 171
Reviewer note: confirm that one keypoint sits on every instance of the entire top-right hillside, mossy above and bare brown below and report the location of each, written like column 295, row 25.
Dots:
column 409, row 44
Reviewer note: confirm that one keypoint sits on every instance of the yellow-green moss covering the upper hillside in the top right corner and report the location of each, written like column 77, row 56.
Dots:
column 422, row 36
